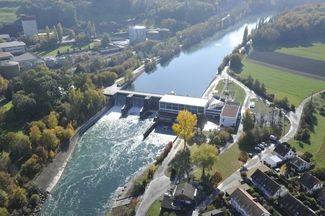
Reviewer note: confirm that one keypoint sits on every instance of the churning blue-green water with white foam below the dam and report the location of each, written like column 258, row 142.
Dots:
column 106, row 156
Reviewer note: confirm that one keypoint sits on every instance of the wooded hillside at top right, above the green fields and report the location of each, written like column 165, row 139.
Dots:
column 301, row 25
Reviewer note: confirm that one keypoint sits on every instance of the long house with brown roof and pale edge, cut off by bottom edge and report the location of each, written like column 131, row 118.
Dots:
column 245, row 205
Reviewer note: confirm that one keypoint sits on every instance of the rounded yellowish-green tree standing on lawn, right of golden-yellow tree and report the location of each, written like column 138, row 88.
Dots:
column 204, row 156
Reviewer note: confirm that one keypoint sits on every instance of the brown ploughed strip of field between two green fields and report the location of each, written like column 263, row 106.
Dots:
column 310, row 67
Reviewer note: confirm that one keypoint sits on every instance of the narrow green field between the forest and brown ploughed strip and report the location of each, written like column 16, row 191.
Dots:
column 314, row 51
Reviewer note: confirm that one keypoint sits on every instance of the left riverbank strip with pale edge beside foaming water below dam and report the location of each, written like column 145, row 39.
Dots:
column 51, row 174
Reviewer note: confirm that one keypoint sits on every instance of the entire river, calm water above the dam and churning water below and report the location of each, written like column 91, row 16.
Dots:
column 112, row 151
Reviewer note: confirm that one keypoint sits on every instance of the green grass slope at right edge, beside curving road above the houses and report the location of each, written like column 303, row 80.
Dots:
column 317, row 140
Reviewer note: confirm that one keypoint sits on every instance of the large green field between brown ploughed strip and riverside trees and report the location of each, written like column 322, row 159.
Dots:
column 282, row 83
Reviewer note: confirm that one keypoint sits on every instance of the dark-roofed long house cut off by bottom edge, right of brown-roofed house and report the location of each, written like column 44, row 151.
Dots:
column 292, row 206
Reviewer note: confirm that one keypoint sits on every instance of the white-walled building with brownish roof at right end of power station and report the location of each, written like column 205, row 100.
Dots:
column 230, row 114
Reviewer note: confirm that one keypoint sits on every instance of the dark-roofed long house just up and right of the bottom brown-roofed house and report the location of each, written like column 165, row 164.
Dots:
column 268, row 186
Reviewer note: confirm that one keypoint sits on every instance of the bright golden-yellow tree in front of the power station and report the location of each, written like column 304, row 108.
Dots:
column 184, row 126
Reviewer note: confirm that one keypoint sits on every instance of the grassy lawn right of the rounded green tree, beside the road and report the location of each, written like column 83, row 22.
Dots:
column 227, row 163
